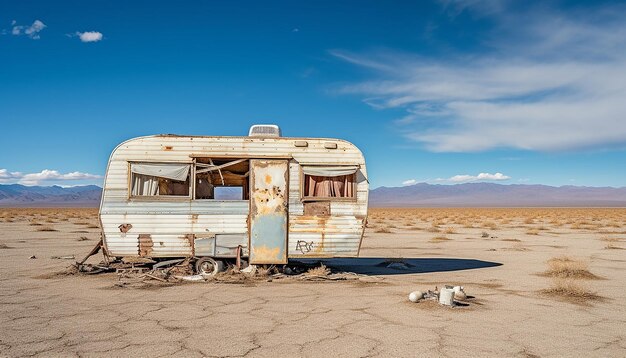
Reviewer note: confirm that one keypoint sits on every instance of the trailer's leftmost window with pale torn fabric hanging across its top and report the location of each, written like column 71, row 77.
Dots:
column 159, row 179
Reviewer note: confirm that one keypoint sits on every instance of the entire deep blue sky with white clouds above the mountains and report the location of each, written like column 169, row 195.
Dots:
column 436, row 91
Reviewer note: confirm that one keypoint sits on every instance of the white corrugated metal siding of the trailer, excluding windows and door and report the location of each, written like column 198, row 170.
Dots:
column 169, row 221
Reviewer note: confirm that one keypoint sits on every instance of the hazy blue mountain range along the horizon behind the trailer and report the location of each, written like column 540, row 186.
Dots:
column 418, row 195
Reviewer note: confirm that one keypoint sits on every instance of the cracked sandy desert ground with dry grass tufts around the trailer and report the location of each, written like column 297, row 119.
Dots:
column 542, row 283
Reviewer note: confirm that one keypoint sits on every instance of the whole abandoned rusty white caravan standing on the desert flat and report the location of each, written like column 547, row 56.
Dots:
column 262, row 198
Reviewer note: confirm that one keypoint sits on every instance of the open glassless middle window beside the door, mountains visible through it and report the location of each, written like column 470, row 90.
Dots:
column 222, row 179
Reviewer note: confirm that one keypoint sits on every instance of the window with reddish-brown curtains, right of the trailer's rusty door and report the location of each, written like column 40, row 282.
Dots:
column 329, row 182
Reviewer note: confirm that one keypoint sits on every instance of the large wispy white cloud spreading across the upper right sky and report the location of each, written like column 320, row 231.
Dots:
column 554, row 83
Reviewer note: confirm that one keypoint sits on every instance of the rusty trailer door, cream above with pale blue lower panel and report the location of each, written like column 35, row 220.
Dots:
column 269, row 180
